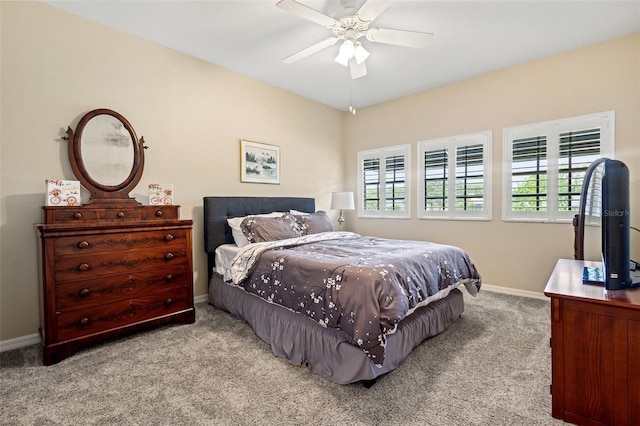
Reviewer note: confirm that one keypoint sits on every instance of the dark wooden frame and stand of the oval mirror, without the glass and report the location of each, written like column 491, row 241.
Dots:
column 101, row 193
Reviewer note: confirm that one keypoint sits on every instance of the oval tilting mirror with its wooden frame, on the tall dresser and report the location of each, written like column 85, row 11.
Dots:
column 106, row 156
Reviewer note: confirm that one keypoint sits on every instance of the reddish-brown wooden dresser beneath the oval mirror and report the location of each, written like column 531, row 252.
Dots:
column 107, row 271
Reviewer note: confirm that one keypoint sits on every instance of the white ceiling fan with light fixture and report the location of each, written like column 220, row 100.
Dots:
column 350, row 29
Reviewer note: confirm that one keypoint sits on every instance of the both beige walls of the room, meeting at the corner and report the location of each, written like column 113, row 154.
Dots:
column 56, row 66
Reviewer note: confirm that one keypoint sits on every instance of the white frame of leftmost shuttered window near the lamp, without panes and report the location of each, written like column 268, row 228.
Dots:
column 382, row 153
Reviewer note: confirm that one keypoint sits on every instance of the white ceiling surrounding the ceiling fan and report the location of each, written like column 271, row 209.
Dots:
column 474, row 37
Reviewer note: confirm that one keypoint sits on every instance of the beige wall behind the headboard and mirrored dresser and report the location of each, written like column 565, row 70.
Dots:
column 56, row 66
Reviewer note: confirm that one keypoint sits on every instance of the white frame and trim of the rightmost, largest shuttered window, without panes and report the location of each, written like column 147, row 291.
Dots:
column 552, row 129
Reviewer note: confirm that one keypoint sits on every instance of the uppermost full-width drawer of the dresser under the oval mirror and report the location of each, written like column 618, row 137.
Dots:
column 89, row 244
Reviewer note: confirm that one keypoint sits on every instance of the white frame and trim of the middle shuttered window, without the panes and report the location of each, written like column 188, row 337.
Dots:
column 485, row 138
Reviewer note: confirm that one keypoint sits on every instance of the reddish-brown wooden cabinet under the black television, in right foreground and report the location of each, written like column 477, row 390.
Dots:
column 595, row 340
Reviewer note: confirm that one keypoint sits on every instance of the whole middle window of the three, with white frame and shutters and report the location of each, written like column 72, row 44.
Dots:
column 454, row 179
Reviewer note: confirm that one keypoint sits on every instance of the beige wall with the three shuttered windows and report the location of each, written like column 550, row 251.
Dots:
column 598, row 78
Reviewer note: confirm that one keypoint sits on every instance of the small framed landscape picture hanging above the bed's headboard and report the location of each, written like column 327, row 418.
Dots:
column 260, row 162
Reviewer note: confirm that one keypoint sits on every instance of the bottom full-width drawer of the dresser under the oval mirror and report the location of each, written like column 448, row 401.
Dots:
column 82, row 322
